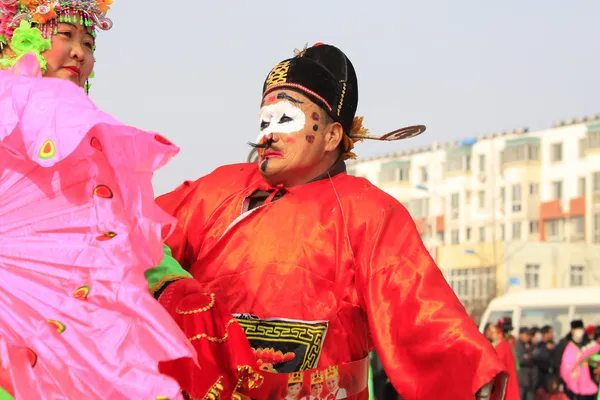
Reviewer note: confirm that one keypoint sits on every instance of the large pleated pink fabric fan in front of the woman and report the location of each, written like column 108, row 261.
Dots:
column 53, row 221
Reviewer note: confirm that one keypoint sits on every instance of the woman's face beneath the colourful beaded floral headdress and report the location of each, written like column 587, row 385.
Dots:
column 71, row 57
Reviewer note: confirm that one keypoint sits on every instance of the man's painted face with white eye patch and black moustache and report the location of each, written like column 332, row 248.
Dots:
column 300, row 138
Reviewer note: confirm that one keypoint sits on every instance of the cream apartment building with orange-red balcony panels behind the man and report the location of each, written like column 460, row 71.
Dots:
column 509, row 210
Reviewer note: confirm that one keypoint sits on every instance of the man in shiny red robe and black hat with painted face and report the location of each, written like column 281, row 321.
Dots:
column 320, row 267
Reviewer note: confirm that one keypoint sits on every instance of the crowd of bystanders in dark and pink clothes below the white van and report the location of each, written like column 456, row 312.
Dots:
column 546, row 369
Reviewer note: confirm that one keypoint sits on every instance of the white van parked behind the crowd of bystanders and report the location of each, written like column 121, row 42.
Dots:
column 539, row 307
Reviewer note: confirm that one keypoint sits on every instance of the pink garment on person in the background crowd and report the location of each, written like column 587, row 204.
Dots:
column 576, row 376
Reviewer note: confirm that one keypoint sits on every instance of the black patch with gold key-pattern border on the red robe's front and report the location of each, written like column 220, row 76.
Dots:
column 283, row 345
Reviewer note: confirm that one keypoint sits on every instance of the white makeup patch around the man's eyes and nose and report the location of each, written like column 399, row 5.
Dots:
column 282, row 117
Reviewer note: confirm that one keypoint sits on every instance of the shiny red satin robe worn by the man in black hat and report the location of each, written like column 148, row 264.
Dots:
column 337, row 258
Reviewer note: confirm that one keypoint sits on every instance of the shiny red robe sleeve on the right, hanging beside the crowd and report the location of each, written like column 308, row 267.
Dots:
column 429, row 347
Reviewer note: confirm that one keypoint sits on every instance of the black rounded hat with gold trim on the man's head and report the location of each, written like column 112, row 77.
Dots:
column 324, row 74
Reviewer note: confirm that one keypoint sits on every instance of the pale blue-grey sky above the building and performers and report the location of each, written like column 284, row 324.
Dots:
column 194, row 71
